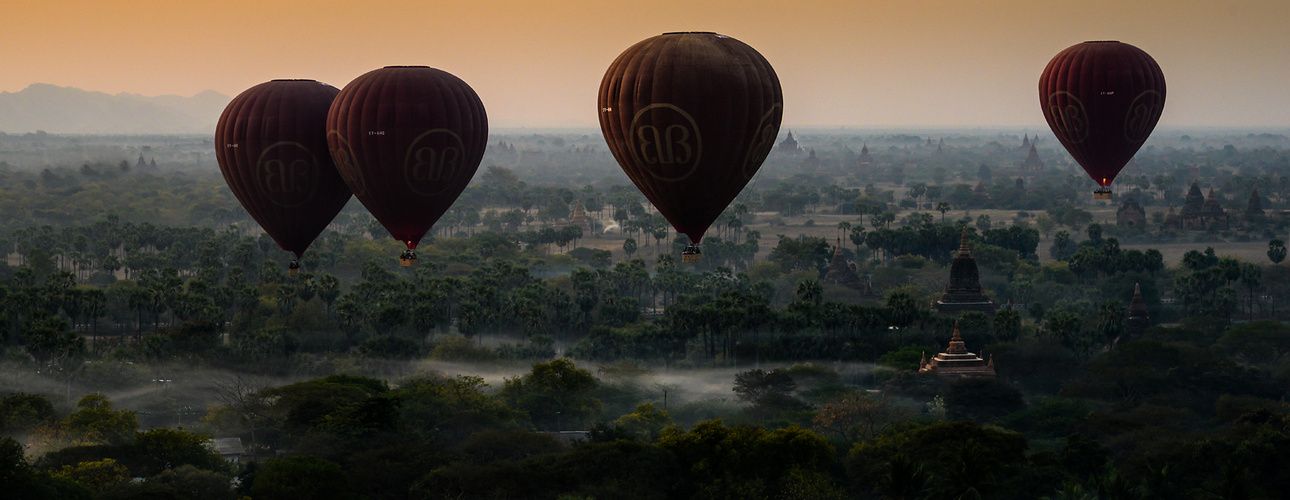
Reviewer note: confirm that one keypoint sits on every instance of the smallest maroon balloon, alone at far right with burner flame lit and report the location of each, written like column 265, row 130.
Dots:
column 1102, row 100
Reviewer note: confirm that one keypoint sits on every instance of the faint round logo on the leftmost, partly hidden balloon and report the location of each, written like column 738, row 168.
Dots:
column 287, row 175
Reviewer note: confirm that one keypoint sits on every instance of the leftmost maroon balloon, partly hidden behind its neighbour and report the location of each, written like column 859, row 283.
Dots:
column 272, row 145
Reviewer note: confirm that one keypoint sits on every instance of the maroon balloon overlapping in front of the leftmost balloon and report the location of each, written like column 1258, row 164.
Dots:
column 407, row 140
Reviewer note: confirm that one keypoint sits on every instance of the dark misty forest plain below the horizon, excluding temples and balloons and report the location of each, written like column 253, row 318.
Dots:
column 144, row 314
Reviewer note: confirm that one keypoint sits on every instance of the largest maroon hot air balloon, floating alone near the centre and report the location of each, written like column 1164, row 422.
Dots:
column 691, row 117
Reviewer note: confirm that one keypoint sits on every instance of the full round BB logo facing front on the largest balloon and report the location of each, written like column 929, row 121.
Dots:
column 666, row 142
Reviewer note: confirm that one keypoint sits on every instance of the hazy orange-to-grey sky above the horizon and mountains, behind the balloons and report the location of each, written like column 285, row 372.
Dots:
column 540, row 64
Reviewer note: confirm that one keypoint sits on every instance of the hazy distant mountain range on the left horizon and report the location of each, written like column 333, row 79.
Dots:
column 64, row 110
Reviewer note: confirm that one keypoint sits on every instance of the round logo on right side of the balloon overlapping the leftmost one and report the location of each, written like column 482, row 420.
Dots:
column 434, row 162
